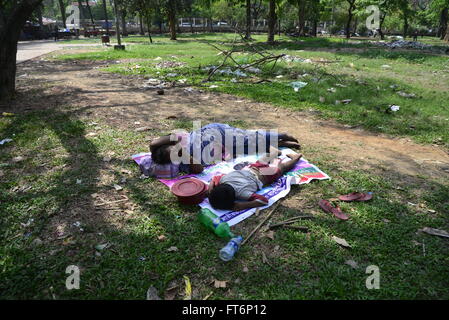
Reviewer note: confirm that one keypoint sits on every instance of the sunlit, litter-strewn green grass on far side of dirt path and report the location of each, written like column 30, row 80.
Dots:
column 356, row 71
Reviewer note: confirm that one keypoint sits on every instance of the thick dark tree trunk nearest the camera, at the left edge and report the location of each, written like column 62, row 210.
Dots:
column 10, row 30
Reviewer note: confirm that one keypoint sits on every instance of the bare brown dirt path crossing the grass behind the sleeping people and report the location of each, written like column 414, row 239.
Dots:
column 121, row 101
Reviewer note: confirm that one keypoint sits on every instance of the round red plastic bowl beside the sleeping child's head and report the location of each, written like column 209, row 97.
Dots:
column 189, row 191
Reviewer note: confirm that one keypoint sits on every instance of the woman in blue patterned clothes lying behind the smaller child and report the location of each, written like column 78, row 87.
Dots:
column 207, row 145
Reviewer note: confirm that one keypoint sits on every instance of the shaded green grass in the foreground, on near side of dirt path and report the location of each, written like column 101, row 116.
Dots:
column 58, row 151
